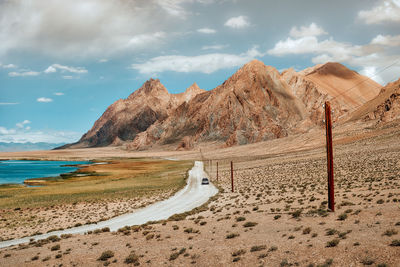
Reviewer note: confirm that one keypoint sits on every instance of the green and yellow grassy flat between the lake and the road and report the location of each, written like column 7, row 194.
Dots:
column 93, row 193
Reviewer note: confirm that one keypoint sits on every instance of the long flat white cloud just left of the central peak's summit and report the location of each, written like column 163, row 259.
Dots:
column 207, row 63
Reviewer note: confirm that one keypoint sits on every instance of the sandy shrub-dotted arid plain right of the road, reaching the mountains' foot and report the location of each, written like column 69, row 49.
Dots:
column 277, row 215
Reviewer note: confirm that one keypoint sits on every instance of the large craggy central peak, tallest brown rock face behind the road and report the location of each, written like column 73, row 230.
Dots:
column 254, row 104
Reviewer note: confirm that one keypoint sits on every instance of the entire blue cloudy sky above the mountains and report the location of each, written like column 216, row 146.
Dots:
column 62, row 63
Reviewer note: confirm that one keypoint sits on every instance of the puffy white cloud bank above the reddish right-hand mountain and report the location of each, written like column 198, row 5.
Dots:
column 370, row 59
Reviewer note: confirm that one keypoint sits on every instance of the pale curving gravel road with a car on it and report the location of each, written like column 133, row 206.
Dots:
column 191, row 196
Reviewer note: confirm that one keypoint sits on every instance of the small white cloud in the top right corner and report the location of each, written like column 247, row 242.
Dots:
column 385, row 11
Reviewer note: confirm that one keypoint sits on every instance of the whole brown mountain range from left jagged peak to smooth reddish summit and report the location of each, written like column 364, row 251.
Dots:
column 256, row 103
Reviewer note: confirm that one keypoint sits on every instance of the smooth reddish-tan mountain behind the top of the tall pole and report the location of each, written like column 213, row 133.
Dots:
column 344, row 88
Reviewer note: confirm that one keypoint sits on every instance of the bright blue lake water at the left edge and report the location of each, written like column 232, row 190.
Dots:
column 16, row 171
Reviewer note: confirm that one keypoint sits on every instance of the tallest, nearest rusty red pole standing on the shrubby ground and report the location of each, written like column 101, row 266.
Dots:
column 329, row 156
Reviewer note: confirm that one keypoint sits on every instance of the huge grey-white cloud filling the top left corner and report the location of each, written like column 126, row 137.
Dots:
column 93, row 28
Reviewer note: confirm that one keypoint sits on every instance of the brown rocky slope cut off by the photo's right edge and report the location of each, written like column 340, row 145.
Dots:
column 383, row 108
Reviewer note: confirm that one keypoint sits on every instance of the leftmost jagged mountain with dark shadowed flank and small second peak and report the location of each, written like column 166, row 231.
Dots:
column 125, row 118
